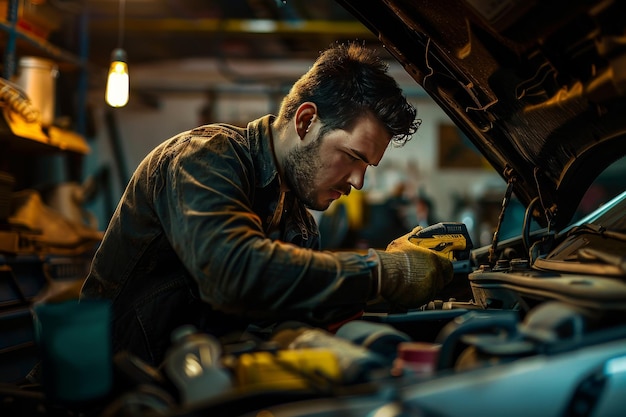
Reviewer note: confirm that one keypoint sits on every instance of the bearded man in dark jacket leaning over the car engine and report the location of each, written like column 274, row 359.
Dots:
column 213, row 227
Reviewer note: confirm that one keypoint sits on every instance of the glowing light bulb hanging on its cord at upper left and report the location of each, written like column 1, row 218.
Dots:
column 118, row 82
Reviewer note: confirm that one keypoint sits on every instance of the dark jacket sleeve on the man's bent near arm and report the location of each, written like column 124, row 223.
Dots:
column 205, row 206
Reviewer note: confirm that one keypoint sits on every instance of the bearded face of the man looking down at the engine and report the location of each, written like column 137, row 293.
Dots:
column 323, row 168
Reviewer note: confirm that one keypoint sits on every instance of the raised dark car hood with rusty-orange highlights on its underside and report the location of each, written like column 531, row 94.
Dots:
column 538, row 87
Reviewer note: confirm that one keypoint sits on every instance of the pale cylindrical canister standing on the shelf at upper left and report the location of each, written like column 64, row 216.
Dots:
column 37, row 78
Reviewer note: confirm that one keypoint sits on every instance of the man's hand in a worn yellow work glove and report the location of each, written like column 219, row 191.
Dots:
column 408, row 275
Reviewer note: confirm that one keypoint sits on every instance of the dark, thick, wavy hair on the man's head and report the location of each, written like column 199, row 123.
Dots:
column 346, row 82
